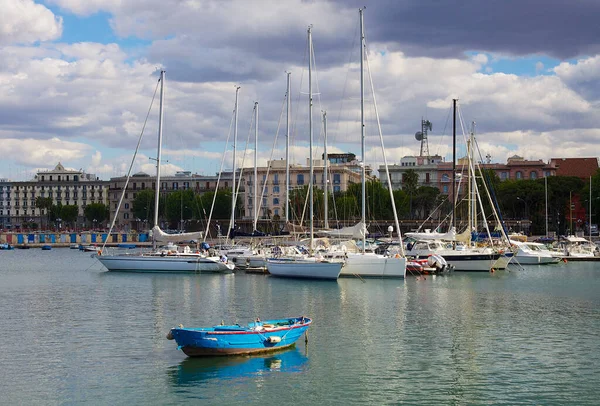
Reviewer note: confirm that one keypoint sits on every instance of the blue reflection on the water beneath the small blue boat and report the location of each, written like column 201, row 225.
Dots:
column 195, row 370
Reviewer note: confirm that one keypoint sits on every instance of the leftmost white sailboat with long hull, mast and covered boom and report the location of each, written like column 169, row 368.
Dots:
column 169, row 259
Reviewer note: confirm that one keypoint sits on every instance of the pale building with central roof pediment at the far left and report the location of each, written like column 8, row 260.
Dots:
column 63, row 186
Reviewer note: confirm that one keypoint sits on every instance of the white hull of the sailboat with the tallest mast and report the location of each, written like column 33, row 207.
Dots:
column 371, row 265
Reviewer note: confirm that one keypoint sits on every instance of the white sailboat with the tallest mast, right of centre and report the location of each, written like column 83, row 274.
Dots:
column 370, row 264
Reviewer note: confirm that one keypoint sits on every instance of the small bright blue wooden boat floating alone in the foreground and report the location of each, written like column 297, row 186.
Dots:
column 256, row 337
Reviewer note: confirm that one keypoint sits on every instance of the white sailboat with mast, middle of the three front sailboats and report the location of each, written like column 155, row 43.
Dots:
column 309, row 267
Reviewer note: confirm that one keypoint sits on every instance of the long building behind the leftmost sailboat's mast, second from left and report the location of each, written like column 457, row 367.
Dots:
column 182, row 180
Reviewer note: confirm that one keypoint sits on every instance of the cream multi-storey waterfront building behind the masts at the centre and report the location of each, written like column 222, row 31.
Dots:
column 343, row 170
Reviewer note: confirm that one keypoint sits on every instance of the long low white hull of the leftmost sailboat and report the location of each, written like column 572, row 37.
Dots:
column 157, row 263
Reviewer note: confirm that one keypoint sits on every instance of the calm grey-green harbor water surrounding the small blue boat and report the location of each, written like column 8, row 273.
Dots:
column 75, row 334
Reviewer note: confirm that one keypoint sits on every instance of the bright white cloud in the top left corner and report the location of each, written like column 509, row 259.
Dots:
column 25, row 22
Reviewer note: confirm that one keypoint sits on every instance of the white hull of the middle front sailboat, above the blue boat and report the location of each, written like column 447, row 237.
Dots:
column 304, row 269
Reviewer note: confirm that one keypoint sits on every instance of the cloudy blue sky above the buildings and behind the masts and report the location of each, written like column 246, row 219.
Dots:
column 78, row 79
